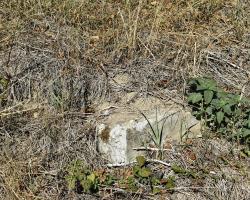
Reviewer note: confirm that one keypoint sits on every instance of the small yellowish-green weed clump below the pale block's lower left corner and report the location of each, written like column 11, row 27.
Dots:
column 81, row 178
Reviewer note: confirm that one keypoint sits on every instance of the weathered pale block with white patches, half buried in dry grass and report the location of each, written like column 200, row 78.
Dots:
column 125, row 128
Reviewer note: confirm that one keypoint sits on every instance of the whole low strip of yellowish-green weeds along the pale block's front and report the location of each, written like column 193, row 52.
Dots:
column 83, row 180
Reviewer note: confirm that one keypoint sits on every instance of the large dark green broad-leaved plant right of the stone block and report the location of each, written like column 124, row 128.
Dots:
column 226, row 113
